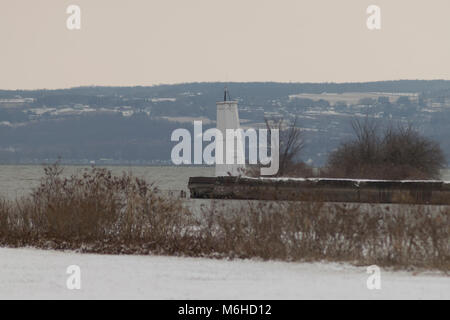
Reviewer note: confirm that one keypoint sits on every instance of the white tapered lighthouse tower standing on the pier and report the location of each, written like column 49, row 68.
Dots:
column 228, row 118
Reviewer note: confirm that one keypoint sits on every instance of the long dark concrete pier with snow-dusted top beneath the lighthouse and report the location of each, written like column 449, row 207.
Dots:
column 327, row 190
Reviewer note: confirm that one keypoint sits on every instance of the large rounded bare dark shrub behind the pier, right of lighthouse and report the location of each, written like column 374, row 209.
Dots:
column 397, row 153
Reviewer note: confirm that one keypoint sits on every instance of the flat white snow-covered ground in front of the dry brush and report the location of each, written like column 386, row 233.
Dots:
column 33, row 274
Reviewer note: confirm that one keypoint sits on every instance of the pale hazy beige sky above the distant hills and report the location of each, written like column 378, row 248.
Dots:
column 145, row 42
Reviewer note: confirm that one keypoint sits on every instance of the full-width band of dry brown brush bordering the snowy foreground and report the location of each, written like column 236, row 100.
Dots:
column 98, row 212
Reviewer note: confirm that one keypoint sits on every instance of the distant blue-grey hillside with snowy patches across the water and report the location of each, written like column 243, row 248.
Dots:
column 133, row 124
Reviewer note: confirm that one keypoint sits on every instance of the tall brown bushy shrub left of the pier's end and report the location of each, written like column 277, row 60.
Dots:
column 96, row 208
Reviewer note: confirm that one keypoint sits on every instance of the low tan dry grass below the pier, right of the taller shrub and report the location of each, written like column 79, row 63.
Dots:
column 312, row 231
